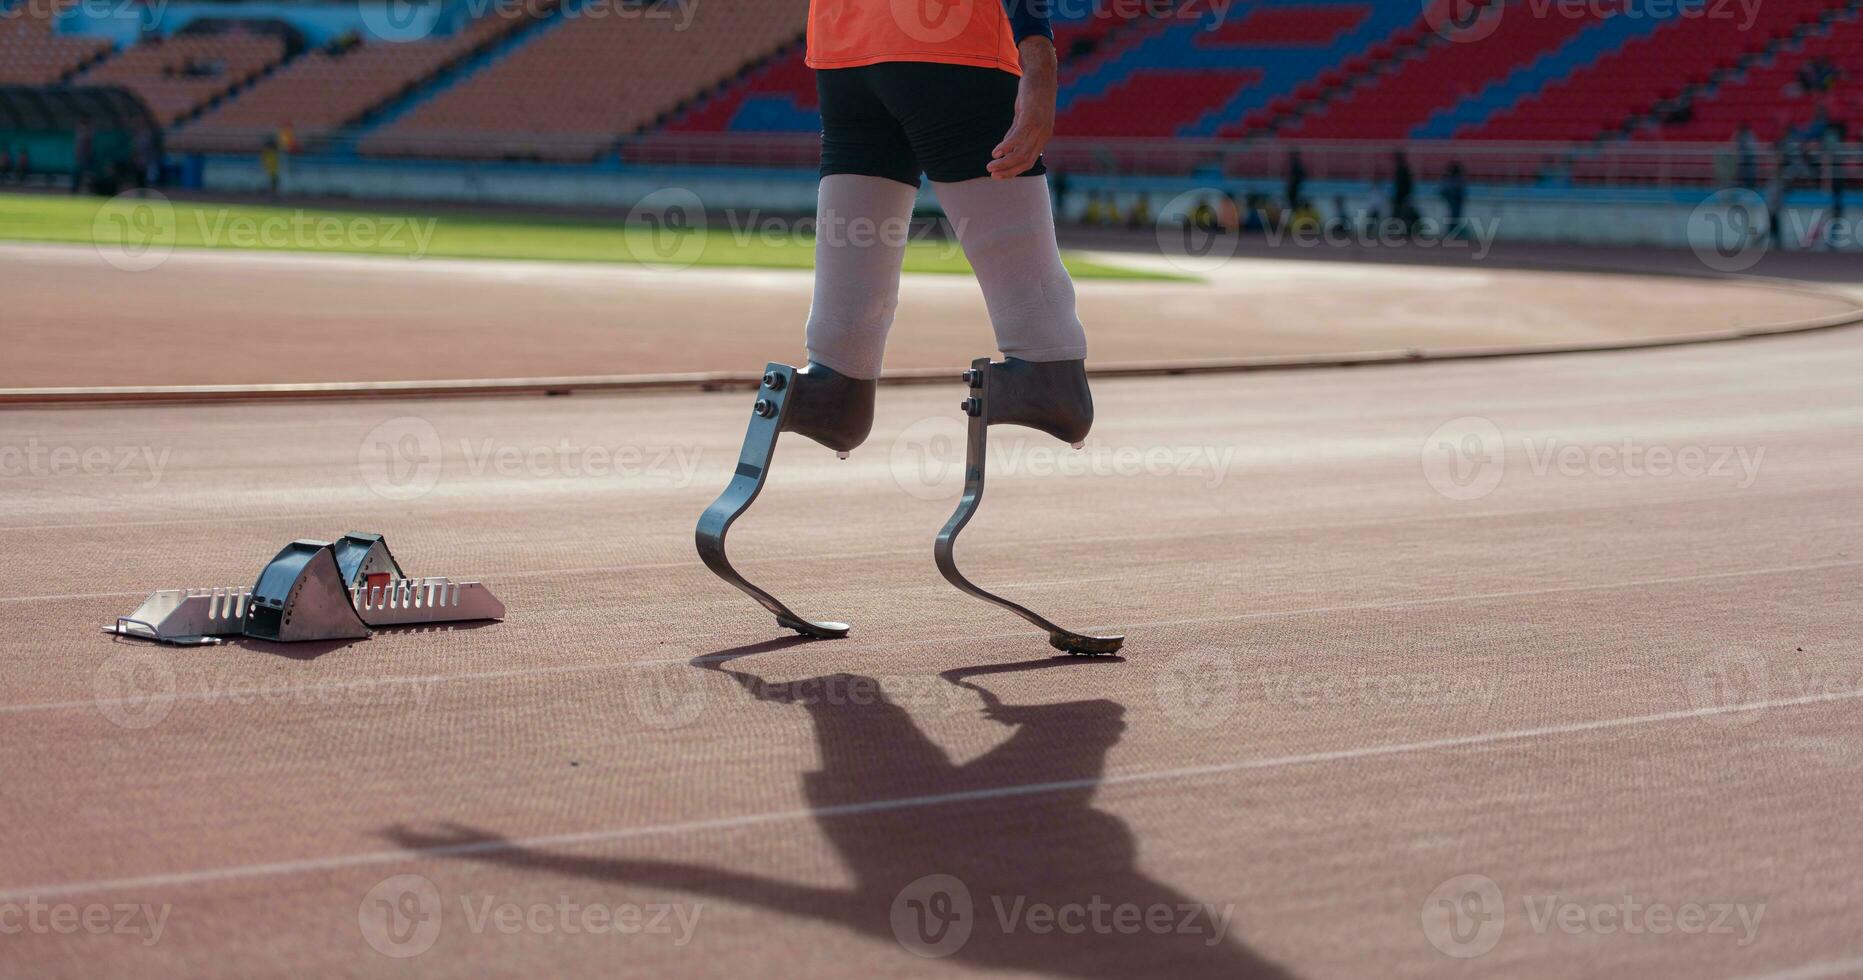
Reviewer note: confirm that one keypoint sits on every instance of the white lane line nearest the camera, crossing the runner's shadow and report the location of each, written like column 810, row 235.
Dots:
column 241, row 873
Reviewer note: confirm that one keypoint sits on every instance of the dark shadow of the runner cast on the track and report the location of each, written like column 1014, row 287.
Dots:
column 880, row 798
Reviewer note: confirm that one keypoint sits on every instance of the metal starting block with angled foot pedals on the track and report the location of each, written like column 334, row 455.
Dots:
column 312, row 592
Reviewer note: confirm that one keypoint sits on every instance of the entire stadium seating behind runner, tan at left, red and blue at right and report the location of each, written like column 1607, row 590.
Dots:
column 578, row 81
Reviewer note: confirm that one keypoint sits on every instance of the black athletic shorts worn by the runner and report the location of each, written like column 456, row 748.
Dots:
column 899, row 120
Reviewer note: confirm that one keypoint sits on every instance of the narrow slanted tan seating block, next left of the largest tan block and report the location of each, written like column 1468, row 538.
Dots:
column 325, row 90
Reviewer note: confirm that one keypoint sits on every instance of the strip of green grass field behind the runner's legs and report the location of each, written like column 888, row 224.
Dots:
column 133, row 225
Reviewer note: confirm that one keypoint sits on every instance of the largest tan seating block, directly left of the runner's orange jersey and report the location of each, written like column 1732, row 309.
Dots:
column 586, row 81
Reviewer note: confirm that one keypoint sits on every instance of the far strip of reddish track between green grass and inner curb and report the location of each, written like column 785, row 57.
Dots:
column 228, row 318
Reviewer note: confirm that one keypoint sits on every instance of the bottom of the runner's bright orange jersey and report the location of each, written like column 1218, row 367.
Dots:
column 847, row 34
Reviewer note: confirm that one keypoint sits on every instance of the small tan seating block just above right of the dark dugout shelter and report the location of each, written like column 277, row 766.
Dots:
column 184, row 74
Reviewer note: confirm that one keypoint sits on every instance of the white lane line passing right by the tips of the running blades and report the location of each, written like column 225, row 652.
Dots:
column 916, row 642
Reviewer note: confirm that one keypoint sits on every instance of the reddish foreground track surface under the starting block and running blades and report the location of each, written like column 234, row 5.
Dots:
column 1568, row 692
